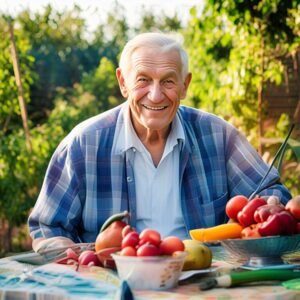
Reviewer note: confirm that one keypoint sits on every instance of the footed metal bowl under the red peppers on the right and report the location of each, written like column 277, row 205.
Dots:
column 263, row 251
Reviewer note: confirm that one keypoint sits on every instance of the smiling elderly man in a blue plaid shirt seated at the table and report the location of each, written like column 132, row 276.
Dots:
column 173, row 167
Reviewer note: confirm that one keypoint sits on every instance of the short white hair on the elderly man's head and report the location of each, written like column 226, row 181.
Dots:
column 166, row 42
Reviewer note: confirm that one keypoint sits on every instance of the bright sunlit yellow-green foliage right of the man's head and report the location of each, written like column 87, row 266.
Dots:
column 236, row 48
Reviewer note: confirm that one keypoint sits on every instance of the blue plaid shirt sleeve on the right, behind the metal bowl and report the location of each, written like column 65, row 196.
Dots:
column 246, row 169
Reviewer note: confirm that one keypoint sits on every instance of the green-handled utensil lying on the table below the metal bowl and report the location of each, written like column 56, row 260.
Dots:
column 237, row 278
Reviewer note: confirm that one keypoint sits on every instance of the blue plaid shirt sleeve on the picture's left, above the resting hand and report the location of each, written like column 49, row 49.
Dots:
column 58, row 209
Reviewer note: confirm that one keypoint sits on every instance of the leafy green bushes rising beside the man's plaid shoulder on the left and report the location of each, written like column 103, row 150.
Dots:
column 21, row 173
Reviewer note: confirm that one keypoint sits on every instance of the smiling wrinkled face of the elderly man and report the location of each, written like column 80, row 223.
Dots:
column 153, row 84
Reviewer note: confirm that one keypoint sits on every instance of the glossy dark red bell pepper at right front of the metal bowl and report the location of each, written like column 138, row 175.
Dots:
column 281, row 223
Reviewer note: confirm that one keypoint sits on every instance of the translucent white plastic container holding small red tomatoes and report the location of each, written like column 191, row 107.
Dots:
column 150, row 272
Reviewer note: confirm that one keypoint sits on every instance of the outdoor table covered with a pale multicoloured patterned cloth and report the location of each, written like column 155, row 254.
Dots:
column 18, row 282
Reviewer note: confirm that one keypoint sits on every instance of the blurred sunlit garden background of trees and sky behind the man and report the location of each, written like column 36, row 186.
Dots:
column 57, row 68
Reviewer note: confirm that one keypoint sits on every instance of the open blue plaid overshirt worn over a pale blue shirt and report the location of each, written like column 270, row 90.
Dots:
column 89, row 179
